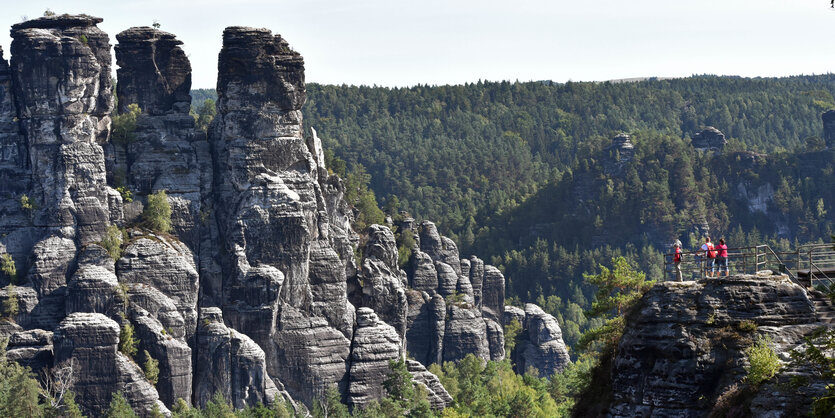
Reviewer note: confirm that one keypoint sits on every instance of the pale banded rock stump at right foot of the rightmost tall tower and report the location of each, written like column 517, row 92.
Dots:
column 375, row 343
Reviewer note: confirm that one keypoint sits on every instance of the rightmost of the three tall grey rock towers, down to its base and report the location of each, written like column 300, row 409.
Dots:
column 273, row 214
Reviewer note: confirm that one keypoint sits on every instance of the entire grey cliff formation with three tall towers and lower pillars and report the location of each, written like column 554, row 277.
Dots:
column 248, row 296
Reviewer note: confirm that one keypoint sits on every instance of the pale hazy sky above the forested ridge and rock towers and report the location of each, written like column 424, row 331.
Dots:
column 400, row 43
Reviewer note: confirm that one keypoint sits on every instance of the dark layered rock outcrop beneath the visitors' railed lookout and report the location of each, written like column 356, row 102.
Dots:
column 684, row 346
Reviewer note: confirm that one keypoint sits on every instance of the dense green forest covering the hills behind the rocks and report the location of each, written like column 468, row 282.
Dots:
column 517, row 172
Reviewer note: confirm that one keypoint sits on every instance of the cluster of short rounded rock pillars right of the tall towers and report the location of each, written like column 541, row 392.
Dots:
column 456, row 305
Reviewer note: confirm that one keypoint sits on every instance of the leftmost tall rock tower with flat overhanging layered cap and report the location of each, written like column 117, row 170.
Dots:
column 60, row 68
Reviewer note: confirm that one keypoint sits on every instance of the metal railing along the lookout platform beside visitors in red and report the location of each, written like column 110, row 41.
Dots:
column 811, row 265
